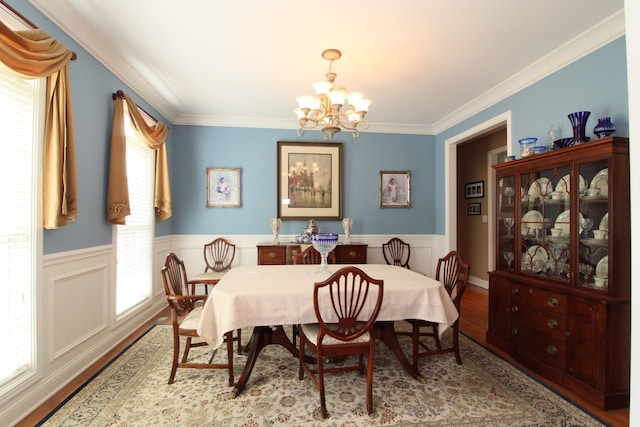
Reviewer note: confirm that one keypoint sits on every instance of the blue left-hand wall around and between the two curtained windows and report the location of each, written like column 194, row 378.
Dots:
column 92, row 86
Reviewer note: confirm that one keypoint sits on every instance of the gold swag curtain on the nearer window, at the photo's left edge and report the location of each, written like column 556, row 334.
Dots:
column 35, row 54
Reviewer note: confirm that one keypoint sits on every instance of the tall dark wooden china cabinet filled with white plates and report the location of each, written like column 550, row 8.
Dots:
column 559, row 299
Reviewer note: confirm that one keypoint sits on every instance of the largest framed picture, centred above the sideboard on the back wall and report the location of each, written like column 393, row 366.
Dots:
column 309, row 180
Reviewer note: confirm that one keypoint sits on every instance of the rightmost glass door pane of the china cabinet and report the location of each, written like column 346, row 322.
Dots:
column 593, row 263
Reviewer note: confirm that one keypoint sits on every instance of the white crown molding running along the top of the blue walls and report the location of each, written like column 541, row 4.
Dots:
column 156, row 93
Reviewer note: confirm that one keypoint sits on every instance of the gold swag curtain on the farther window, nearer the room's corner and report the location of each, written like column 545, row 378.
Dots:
column 155, row 137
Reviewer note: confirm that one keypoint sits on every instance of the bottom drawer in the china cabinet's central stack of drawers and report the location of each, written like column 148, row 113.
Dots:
column 550, row 349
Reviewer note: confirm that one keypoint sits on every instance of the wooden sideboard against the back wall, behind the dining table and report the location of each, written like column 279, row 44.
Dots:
column 283, row 253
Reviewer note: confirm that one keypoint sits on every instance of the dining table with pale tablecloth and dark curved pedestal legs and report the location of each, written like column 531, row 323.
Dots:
column 268, row 297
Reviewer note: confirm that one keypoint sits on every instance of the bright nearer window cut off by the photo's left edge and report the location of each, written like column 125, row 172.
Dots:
column 21, row 101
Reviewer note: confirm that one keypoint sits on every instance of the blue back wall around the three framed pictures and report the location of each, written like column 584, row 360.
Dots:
column 255, row 152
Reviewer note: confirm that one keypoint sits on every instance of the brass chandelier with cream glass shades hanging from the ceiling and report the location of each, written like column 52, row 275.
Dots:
column 323, row 110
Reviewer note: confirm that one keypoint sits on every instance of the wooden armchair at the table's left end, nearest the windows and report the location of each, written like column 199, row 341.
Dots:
column 186, row 310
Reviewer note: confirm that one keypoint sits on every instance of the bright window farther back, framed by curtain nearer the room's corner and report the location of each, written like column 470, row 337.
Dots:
column 134, row 244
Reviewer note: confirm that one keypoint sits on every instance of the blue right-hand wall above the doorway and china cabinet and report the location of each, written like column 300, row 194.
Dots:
column 596, row 83
